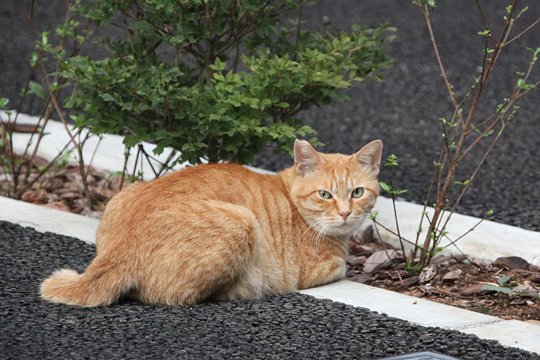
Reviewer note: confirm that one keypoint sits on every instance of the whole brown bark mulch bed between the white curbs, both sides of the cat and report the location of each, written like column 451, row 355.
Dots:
column 507, row 288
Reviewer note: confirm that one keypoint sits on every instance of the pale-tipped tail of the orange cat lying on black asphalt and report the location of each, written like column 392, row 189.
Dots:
column 101, row 284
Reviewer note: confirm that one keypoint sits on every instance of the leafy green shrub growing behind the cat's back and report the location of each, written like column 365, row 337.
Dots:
column 215, row 79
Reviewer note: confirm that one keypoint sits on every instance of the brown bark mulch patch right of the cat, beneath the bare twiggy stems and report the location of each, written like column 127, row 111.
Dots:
column 507, row 288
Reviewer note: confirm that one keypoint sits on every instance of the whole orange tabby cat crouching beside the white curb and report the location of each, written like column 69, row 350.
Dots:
column 224, row 232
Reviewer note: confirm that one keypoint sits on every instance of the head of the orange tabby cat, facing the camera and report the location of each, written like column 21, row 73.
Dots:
column 335, row 192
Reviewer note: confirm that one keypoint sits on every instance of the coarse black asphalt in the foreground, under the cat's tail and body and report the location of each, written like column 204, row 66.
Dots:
column 290, row 326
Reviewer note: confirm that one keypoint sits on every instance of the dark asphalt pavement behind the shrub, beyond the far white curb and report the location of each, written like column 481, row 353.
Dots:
column 403, row 110
